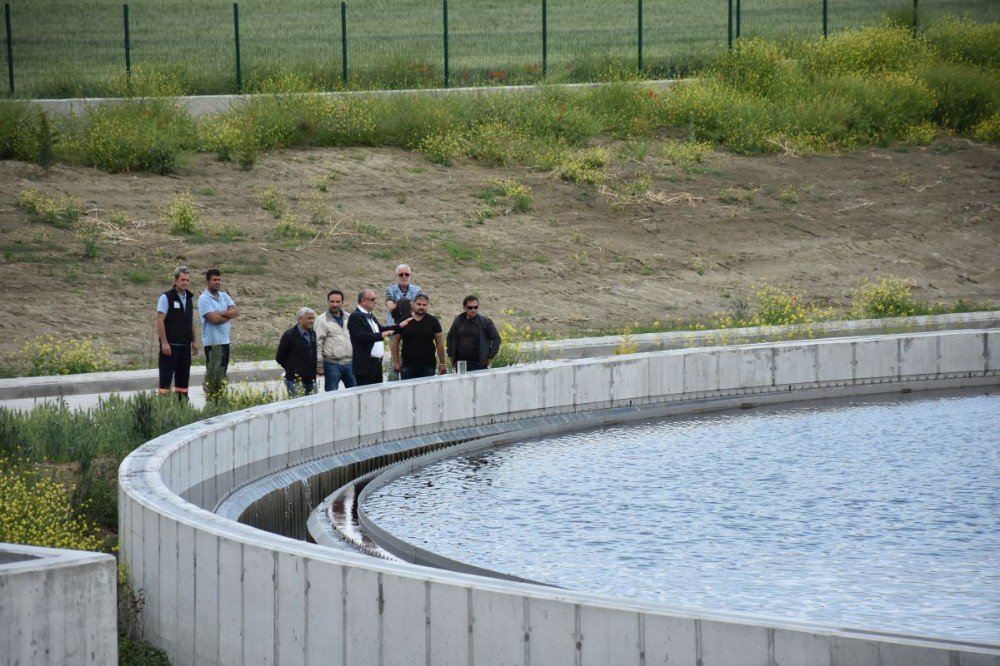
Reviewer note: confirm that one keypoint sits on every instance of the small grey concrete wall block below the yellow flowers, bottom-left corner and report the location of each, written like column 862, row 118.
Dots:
column 57, row 606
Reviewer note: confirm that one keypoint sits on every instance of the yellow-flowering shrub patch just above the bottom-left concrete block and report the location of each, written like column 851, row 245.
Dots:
column 36, row 510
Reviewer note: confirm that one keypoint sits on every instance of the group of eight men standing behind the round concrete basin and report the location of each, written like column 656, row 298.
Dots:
column 340, row 347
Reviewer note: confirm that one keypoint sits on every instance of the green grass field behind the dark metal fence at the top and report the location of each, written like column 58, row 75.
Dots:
column 74, row 47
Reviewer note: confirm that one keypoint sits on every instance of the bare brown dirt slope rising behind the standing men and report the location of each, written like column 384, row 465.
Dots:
column 584, row 256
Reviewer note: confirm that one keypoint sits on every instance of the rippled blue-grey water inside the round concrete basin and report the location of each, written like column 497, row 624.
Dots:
column 882, row 515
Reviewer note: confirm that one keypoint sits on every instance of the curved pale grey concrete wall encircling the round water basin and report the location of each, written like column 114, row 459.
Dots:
column 223, row 593
